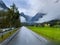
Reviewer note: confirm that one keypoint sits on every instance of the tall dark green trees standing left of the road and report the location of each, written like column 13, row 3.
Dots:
column 10, row 17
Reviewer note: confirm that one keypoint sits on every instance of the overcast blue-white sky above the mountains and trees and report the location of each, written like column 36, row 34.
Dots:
column 31, row 7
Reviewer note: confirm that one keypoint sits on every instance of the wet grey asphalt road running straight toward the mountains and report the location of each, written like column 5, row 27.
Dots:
column 27, row 37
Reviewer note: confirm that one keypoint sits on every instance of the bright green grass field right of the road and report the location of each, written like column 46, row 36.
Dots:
column 47, row 32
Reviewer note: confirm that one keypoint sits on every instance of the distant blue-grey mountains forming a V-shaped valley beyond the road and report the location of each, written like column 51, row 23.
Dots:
column 30, row 20
